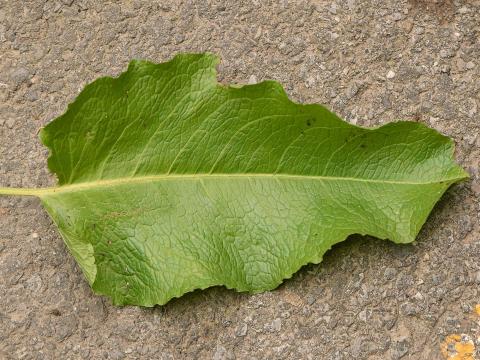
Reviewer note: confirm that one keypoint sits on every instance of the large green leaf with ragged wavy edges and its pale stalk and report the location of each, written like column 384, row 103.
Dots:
column 170, row 182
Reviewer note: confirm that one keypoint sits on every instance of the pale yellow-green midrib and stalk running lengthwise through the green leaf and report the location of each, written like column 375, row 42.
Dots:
column 155, row 178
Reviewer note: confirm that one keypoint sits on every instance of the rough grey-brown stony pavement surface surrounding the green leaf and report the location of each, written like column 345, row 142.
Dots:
column 369, row 61
